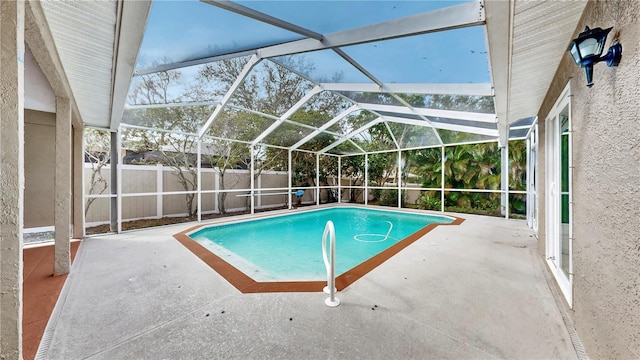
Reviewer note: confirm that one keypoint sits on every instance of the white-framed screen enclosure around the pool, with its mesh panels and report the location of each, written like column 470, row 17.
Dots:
column 254, row 105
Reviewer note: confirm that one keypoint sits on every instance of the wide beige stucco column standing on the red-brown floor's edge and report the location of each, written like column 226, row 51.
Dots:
column 62, row 204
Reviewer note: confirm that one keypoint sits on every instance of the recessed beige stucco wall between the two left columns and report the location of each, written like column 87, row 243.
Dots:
column 39, row 166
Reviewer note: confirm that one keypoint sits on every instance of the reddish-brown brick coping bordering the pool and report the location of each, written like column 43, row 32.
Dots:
column 247, row 285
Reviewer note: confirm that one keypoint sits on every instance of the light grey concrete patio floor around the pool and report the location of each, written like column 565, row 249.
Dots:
column 471, row 291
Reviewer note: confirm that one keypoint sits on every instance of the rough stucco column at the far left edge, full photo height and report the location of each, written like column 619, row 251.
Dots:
column 11, row 176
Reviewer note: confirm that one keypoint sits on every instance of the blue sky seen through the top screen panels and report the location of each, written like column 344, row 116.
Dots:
column 184, row 30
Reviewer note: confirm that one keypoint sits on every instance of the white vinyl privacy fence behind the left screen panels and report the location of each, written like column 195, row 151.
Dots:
column 153, row 191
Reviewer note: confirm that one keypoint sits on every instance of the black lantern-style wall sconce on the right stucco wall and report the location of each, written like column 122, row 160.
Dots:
column 586, row 50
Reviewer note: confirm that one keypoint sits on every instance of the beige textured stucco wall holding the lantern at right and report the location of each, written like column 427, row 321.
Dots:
column 606, row 186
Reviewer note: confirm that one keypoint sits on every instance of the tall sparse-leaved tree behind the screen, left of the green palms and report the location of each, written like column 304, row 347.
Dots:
column 271, row 89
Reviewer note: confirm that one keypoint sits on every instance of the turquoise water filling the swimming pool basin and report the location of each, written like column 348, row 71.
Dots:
column 289, row 247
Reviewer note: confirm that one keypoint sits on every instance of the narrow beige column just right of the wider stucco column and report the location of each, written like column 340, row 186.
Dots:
column 78, row 183
